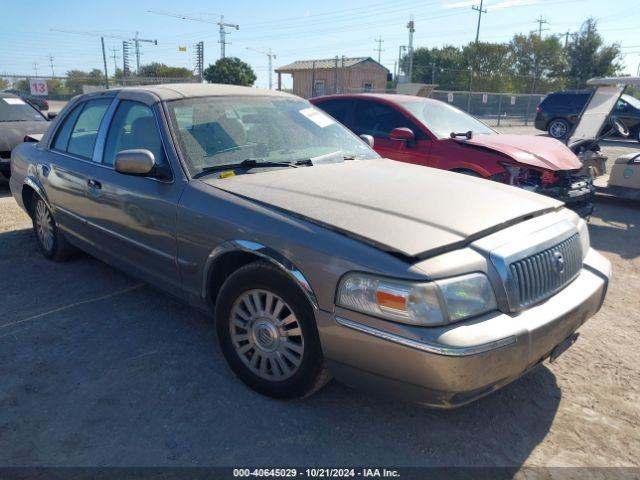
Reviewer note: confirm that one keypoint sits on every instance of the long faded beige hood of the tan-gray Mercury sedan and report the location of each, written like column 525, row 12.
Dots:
column 398, row 207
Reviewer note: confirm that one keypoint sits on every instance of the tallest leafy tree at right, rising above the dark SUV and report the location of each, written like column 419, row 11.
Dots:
column 589, row 57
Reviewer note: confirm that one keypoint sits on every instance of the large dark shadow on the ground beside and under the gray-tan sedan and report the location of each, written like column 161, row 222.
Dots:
column 99, row 369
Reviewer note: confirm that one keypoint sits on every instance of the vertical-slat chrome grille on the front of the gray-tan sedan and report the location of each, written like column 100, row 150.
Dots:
column 542, row 274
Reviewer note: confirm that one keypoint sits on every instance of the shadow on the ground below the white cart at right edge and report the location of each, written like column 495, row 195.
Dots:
column 616, row 228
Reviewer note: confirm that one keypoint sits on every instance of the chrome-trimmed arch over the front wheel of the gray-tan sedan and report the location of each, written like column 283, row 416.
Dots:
column 262, row 251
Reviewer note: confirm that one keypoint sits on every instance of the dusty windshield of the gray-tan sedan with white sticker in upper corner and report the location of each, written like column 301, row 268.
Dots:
column 219, row 131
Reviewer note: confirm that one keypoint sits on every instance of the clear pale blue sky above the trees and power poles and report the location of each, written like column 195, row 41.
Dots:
column 293, row 30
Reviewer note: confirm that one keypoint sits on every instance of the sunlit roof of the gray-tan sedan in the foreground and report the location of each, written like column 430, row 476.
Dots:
column 175, row 91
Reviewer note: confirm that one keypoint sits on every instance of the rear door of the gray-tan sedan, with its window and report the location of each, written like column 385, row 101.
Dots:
column 71, row 153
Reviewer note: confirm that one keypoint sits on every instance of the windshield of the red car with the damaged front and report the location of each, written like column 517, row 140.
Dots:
column 442, row 119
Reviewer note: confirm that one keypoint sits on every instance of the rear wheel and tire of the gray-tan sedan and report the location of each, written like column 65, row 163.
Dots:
column 51, row 241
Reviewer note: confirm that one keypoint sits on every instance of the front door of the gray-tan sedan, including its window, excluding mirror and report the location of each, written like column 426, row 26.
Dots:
column 133, row 219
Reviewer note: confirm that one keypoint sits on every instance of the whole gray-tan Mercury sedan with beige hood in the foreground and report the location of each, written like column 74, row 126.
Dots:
column 316, row 257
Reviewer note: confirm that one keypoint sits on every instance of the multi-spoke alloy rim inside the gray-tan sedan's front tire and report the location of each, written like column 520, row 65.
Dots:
column 266, row 335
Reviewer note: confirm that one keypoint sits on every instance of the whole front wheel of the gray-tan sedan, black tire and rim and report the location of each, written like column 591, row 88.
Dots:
column 274, row 348
